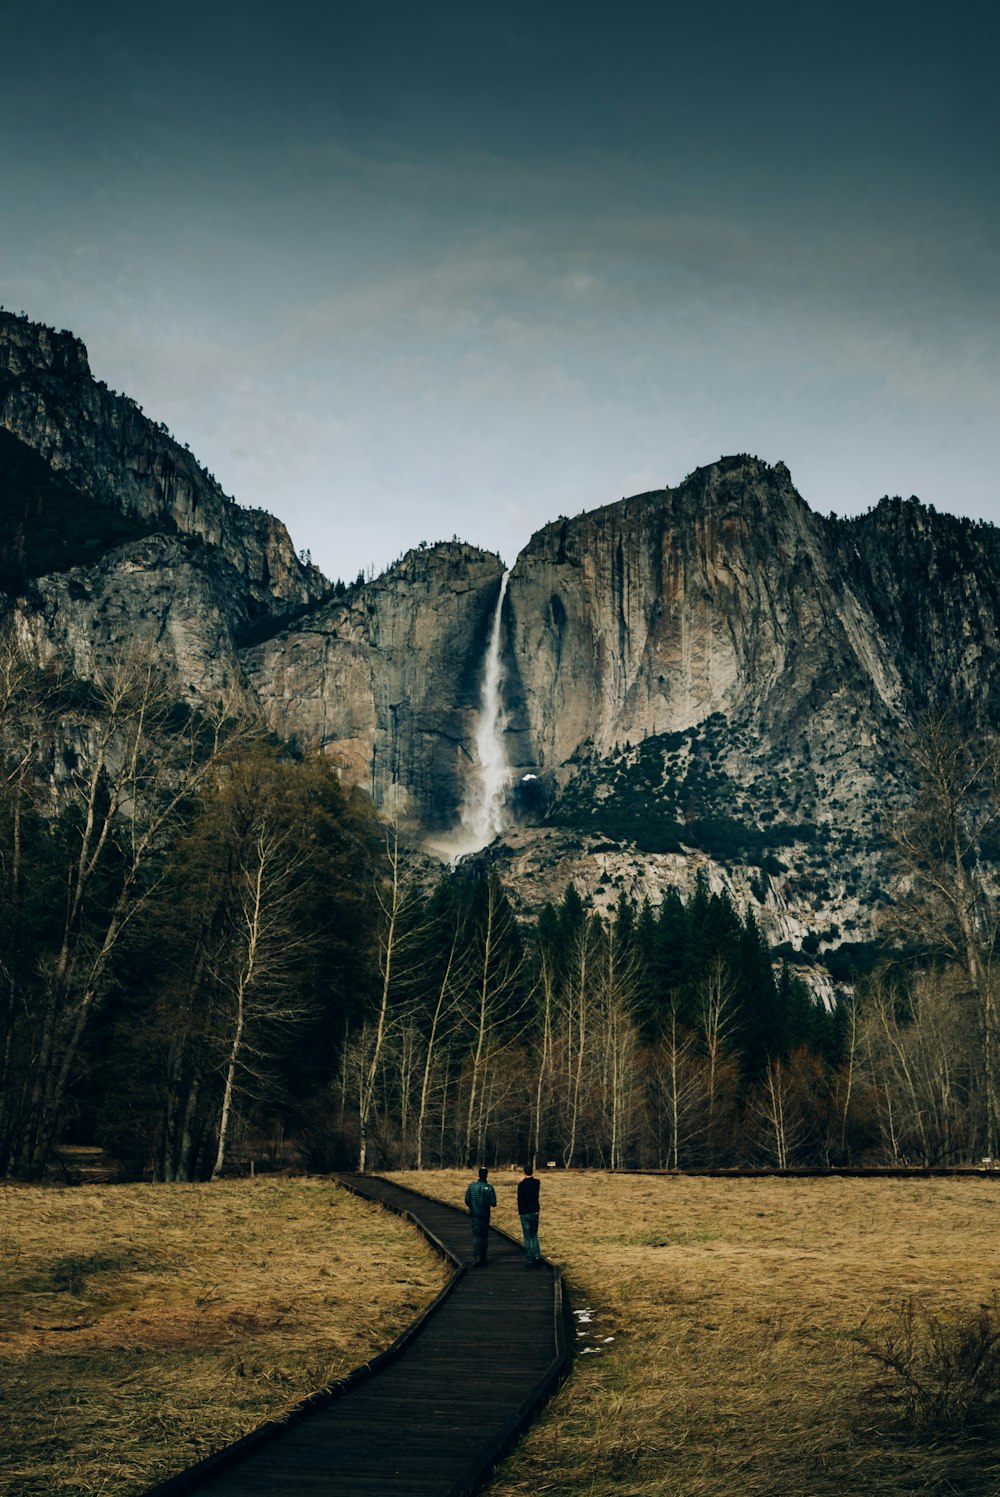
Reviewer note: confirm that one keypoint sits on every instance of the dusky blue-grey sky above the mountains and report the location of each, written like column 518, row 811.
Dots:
column 403, row 272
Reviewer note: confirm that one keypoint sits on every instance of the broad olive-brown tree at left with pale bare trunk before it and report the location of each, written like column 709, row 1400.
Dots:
column 246, row 962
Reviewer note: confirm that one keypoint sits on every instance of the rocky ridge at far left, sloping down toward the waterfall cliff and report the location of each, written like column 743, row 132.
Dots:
column 206, row 574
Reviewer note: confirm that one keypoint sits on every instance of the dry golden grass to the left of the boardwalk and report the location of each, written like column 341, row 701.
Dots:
column 143, row 1327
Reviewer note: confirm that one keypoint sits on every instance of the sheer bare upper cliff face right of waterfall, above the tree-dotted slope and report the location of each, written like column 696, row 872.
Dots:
column 724, row 597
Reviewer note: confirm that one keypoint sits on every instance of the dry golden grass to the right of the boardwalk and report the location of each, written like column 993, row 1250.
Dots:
column 736, row 1309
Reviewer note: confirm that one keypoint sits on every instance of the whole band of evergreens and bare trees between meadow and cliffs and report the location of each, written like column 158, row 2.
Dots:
column 216, row 956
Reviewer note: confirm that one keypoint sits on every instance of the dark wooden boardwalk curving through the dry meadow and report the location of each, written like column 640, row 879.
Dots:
column 433, row 1414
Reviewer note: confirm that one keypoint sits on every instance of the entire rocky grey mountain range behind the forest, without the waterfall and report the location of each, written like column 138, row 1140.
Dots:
column 710, row 677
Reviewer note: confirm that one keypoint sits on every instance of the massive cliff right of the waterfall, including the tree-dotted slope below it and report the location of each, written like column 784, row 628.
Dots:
column 706, row 685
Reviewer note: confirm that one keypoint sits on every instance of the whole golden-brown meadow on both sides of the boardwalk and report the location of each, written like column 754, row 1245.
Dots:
column 725, row 1329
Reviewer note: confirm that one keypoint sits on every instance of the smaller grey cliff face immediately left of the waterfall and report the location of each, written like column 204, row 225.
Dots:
column 387, row 680
